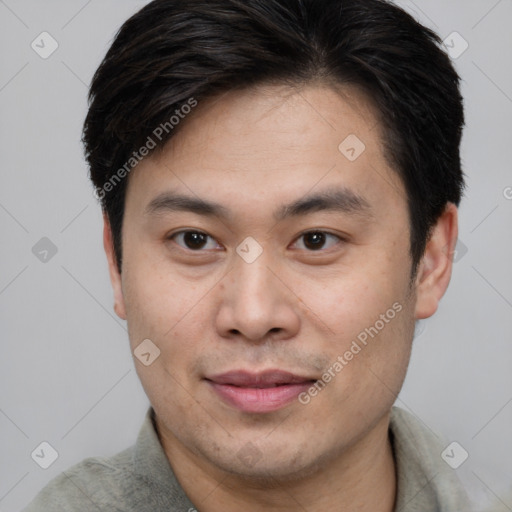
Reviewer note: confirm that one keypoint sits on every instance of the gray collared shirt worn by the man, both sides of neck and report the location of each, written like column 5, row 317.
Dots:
column 140, row 478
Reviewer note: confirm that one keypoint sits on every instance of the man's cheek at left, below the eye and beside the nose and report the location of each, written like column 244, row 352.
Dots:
column 176, row 315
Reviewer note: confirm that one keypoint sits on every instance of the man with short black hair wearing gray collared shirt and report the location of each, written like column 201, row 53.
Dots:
column 279, row 181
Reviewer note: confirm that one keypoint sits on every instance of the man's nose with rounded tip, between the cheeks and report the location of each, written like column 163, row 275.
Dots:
column 257, row 304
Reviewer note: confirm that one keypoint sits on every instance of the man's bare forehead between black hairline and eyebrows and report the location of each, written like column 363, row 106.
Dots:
column 273, row 143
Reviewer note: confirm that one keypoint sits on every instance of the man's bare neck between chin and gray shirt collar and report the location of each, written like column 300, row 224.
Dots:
column 362, row 478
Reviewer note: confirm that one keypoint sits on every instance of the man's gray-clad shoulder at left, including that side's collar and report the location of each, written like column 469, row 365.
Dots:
column 137, row 479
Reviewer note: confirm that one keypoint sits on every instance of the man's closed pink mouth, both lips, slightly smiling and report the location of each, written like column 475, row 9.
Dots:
column 259, row 392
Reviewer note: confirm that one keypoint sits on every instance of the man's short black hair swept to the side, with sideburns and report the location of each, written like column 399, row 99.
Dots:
column 175, row 53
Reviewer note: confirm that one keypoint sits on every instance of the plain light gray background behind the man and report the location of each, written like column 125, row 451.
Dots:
column 66, row 374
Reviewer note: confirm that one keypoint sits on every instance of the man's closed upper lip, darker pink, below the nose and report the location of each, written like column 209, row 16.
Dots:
column 265, row 379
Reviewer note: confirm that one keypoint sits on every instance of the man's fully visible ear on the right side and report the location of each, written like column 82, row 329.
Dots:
column 435, row 269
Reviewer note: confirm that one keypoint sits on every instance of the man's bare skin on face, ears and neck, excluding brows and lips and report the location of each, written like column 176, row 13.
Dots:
column 294, row 308
